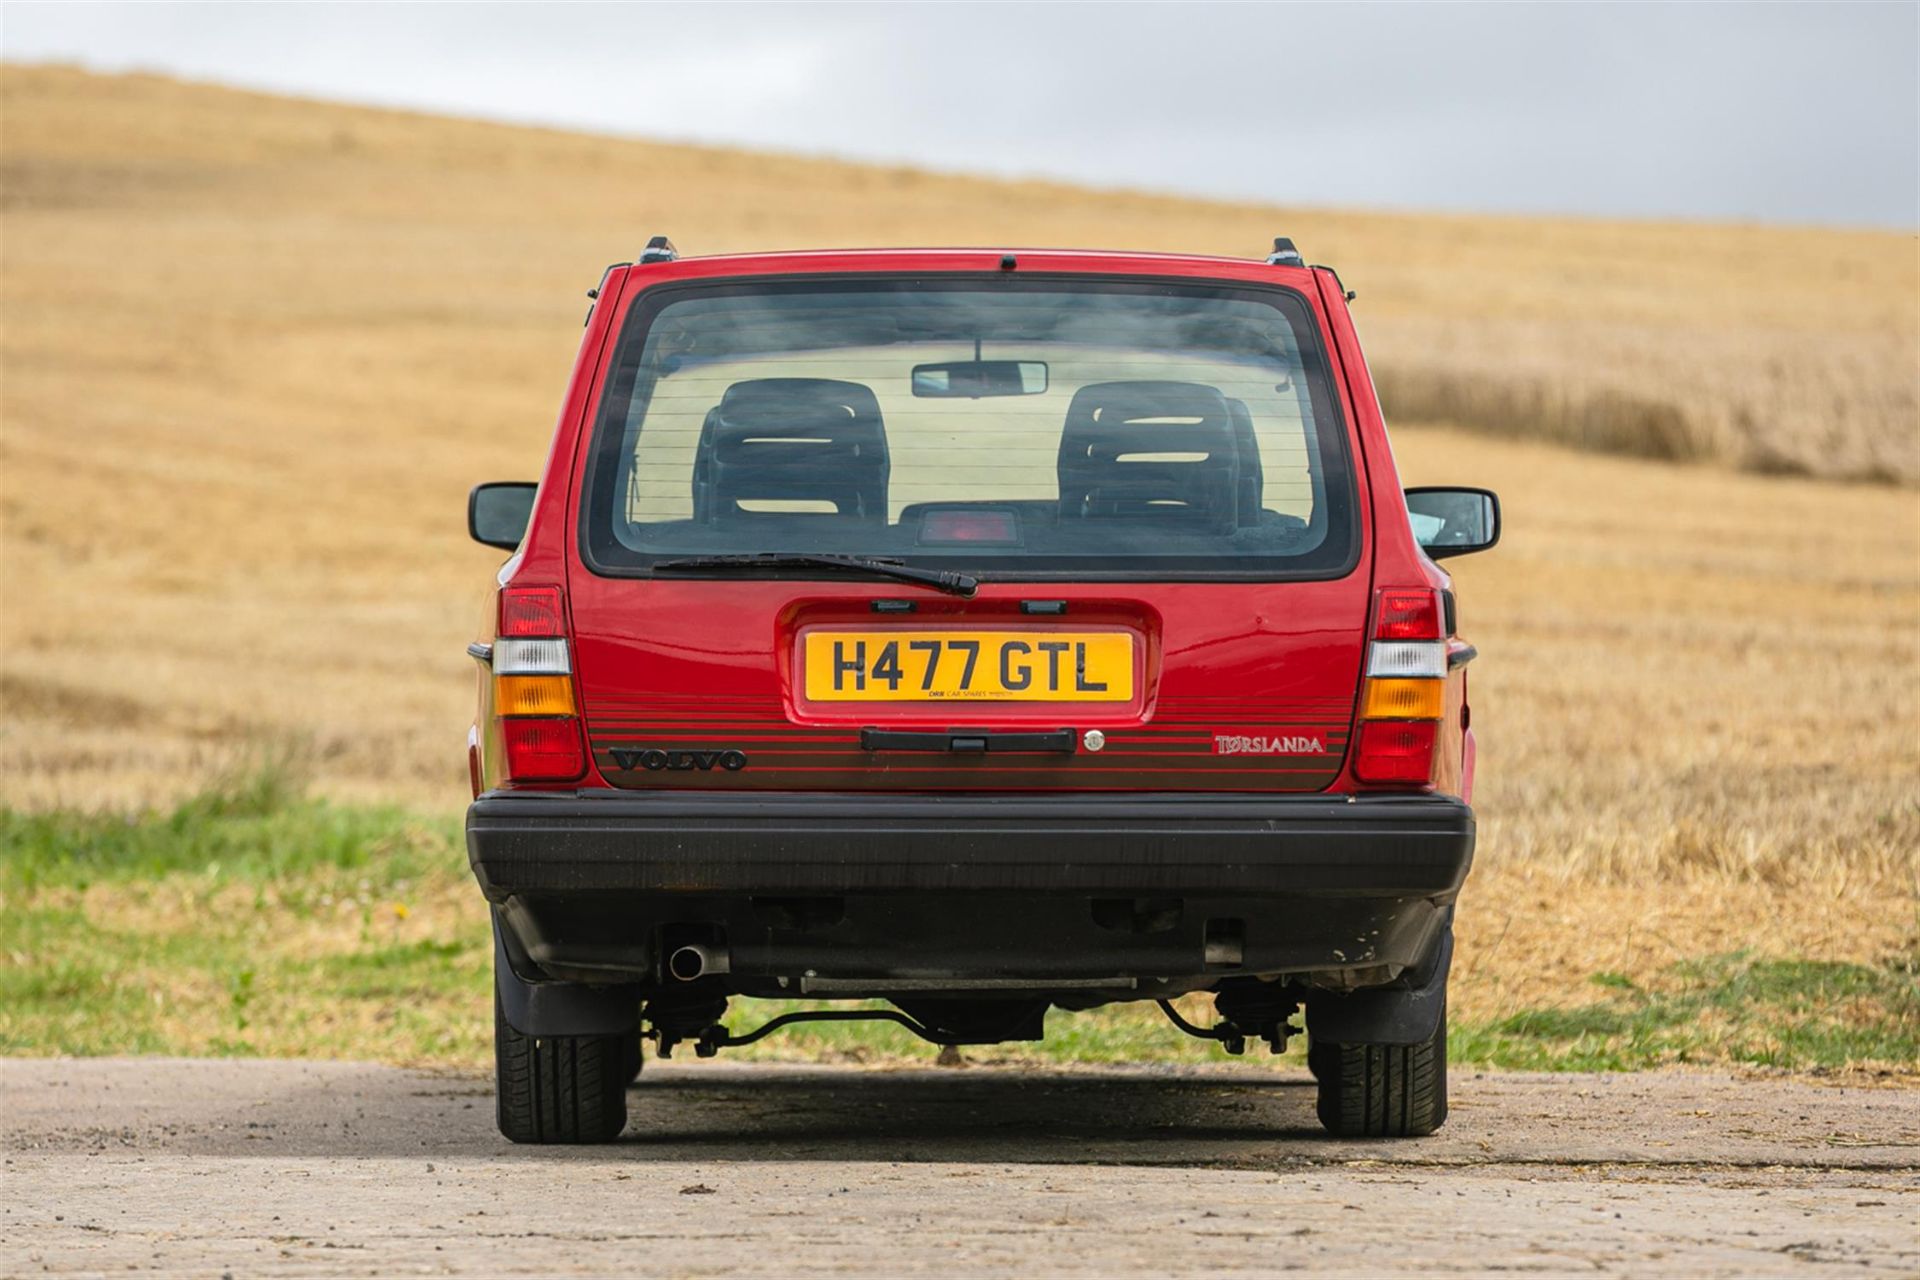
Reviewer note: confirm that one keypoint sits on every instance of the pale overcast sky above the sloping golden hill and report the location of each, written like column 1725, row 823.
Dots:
column 1802, row 114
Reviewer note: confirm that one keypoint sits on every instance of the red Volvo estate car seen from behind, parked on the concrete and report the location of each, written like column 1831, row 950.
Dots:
column 982, row 634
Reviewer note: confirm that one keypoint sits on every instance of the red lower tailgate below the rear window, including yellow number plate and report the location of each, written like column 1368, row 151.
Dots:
column 807, row 686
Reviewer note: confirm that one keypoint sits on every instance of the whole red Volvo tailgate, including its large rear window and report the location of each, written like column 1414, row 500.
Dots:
column 1180, row 494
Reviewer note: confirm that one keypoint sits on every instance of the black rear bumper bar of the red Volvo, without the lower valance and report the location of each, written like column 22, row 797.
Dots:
column 859, row 845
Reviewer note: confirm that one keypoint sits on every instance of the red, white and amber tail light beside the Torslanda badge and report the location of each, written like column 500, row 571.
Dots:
column 1404, row 696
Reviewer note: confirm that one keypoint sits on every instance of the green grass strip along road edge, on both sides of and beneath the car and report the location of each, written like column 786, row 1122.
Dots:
column 254, row 920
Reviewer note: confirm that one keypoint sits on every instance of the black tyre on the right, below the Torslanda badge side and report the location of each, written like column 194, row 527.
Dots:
column 1381, row 1091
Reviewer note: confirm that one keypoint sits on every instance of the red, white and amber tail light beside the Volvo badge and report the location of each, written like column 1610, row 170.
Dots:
column 535, row 688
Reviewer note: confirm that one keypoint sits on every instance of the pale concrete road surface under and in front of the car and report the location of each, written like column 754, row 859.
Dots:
column 268, row 1168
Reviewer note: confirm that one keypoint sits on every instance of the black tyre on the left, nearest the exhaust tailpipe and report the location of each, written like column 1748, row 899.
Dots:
column 562, row 1089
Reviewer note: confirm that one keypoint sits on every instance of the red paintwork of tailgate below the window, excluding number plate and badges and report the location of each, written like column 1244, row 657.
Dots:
column 1222, row 659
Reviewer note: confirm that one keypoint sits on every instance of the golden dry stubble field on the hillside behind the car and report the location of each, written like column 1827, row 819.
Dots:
column 256, row 350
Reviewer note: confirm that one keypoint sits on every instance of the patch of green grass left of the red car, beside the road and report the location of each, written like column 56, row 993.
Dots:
column 249, row 920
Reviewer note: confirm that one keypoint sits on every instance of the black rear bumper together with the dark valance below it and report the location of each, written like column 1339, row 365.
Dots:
column 1115, row 897
